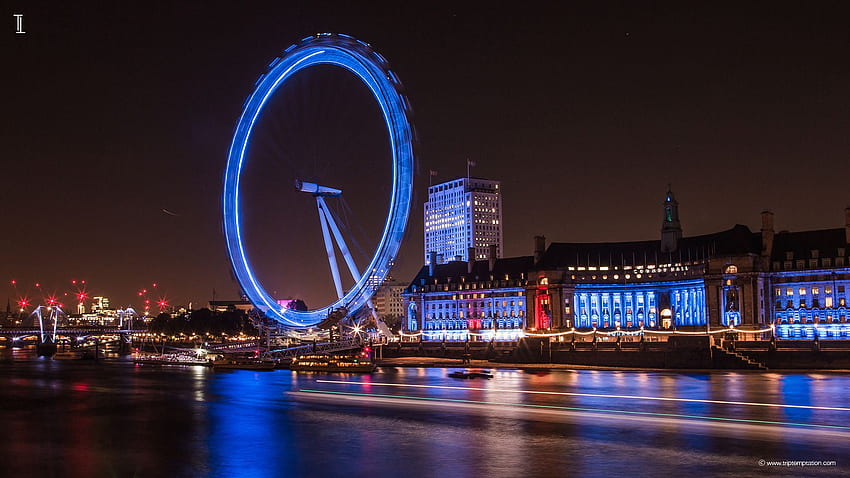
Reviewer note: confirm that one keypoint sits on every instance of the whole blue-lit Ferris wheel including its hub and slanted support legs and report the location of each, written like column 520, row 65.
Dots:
column 372, row 70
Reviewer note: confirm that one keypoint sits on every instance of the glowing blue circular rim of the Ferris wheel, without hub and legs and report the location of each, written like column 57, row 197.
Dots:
column 372, row 69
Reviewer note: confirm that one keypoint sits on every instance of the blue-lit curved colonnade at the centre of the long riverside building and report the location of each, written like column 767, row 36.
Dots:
column 641, row 304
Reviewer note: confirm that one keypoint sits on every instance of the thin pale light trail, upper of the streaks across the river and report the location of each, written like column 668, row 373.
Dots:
column 591, row 395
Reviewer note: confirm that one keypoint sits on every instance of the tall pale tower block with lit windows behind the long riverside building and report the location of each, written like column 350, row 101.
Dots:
column 460, row 215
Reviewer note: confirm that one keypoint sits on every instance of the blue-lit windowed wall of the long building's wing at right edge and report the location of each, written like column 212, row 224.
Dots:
column 811, row 304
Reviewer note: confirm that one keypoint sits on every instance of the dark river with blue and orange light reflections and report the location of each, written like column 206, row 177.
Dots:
column 113, row 418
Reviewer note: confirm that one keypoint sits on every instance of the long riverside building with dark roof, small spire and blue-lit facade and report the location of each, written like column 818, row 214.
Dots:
column 799, row 281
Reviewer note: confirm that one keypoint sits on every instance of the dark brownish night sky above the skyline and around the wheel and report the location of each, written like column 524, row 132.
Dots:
column 114, row 111
